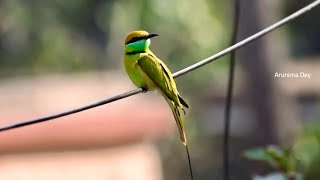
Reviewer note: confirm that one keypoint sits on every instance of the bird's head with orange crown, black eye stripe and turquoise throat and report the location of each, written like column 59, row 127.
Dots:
column 138, row 41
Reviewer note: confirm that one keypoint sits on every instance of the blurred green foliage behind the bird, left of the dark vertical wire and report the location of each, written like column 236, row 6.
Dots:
column 40, row 37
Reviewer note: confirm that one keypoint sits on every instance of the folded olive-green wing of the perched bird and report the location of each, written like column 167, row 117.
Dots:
column 159, row 74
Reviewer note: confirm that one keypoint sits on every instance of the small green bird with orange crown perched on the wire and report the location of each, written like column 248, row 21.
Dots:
column 150, row 73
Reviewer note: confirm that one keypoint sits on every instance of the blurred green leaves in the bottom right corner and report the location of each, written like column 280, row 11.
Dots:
column 302, row 158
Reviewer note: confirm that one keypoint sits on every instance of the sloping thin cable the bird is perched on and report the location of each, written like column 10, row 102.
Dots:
column 177, row 74
